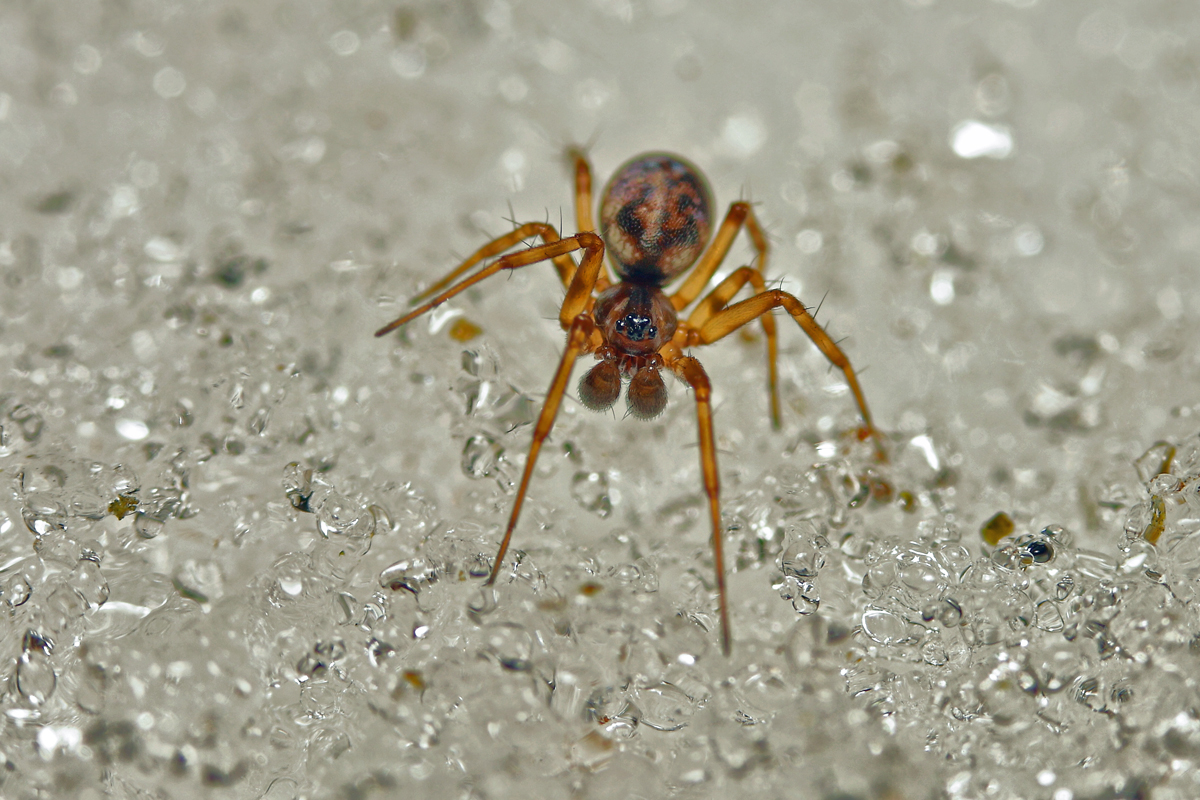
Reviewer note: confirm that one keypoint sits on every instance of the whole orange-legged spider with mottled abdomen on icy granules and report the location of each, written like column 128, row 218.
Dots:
column 656, row 224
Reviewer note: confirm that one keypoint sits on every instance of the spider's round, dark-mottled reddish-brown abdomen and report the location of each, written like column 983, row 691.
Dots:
column 656, row 219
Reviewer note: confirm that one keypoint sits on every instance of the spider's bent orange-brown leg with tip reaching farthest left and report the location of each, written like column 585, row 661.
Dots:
column 579, row 291
